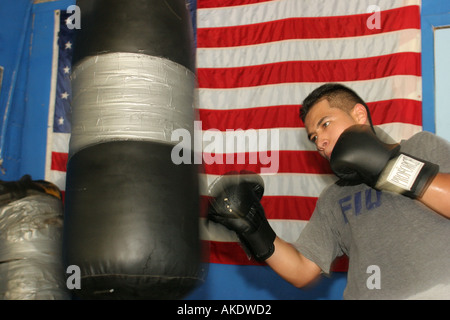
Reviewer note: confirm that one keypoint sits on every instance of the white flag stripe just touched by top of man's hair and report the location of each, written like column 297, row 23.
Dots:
column 393, row 87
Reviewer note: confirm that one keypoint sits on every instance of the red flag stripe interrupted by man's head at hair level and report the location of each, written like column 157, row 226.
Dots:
column 287, row 116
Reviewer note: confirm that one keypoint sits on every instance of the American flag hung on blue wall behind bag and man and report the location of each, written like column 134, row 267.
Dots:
column 256, row 61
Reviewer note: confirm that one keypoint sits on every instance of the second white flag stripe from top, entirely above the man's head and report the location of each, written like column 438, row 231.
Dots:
column 407, row 40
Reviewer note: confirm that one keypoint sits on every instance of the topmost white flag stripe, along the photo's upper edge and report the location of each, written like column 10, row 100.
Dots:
column 284, row 9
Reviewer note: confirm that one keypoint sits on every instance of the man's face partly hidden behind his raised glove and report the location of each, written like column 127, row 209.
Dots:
column 325, row 124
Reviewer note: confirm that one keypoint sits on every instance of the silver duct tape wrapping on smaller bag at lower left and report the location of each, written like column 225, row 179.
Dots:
column 31, row 250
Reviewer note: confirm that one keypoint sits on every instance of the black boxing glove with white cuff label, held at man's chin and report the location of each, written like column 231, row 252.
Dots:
column 359, row 156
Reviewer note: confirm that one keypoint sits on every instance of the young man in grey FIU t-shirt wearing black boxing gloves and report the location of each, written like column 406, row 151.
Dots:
column 390, row 207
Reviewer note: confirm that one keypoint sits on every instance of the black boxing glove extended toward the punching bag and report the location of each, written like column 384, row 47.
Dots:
column 235, row 203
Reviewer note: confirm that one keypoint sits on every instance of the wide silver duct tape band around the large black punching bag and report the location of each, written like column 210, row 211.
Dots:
column 127, row 96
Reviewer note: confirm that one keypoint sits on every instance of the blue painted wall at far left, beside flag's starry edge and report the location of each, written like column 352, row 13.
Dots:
column 26, row 42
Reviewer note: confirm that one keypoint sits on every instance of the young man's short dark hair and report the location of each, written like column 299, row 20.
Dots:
column 338, row 95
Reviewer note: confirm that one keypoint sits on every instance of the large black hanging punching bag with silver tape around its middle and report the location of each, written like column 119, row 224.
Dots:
column 131, row 215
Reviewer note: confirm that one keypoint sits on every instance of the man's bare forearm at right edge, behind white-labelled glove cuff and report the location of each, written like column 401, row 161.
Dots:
column 437, row 195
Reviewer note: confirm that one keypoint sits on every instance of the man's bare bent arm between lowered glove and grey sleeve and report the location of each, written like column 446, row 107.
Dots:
column 291, row 265
